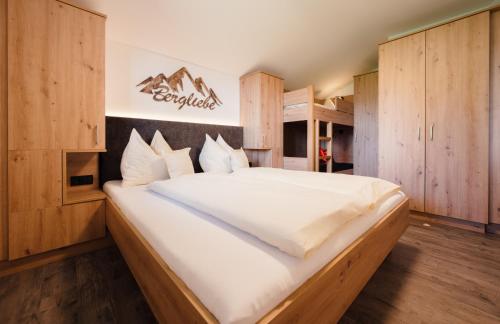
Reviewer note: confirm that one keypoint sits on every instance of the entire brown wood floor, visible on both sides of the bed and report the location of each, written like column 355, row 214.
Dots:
column 434, row 275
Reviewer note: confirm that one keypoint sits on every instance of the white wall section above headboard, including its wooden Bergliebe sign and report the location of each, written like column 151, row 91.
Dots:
column 144, row 84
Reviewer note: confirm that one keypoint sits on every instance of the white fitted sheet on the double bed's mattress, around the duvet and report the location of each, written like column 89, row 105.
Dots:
column 235, row 275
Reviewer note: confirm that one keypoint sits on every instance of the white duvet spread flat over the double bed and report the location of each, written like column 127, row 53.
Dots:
column 292, row 210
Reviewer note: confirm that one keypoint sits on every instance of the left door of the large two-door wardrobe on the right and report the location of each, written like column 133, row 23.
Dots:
column 402, row 115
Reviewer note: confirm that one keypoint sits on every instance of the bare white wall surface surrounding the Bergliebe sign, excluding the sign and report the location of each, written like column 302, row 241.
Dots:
column 127, row 66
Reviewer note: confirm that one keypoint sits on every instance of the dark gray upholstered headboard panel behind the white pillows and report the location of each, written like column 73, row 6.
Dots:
column 178, row 135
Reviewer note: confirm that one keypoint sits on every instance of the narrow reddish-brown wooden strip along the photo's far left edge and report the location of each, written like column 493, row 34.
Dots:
column 3, row 131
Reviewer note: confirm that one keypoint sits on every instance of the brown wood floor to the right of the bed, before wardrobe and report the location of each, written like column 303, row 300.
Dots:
column 434, row 275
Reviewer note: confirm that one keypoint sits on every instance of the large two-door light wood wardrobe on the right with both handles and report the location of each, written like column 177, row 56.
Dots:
column 434, row 117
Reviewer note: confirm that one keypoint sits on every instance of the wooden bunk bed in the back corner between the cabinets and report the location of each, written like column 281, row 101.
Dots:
column 312, row 129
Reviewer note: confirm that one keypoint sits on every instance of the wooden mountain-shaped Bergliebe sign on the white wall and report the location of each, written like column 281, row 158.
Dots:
column 171, row 89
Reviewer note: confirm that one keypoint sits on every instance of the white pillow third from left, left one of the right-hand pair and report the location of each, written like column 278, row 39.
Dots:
column 214, row 158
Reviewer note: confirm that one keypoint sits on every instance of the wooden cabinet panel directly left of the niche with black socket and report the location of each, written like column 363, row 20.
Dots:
column 35, row 180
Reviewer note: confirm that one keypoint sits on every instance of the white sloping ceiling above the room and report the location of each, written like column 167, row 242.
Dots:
column 320, row 42
